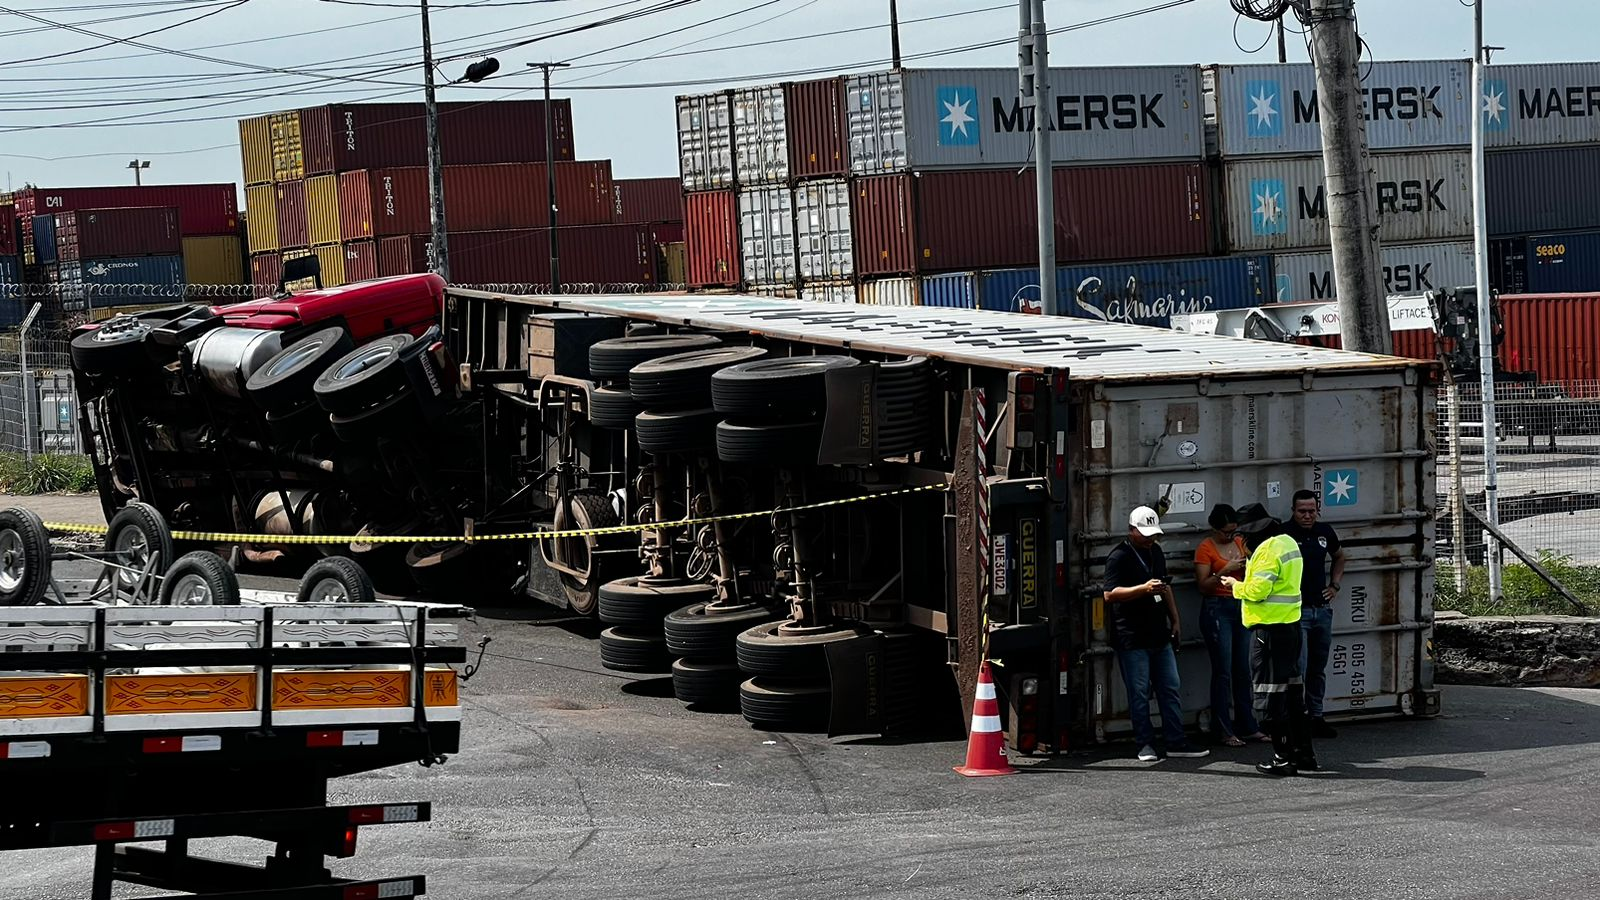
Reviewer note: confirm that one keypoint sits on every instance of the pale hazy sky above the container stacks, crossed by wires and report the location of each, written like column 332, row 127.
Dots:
column 177, row 100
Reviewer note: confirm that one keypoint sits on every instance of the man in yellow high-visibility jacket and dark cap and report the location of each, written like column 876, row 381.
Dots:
column 1271, row 609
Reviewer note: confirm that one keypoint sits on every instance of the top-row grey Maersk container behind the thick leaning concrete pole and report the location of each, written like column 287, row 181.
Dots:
column 1271, row 110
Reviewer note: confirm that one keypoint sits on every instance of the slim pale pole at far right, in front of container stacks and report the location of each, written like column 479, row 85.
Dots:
column 1481, row 247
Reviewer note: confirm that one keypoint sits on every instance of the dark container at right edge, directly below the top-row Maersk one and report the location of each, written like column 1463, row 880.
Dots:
column 1540, row 191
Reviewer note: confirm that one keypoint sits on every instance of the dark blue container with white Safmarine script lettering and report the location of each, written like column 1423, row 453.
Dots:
column 1137, row 294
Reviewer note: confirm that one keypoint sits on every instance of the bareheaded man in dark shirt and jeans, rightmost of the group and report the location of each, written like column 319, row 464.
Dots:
column 1319, row 544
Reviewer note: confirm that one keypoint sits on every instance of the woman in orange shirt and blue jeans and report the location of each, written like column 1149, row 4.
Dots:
column 1223, row 553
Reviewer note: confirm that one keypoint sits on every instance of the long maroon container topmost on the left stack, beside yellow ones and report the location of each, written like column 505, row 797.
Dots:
column 394, row 135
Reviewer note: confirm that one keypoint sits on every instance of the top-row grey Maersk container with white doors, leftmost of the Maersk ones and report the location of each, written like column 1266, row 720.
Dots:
column 922, row 119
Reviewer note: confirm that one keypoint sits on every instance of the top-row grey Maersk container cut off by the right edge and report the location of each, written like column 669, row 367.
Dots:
column 1542, row 105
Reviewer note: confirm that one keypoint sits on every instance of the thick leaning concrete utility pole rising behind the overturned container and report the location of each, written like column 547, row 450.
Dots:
column 1353, row 225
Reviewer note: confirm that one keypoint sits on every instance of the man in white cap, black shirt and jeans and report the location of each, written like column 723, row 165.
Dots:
column 1142, row 617
